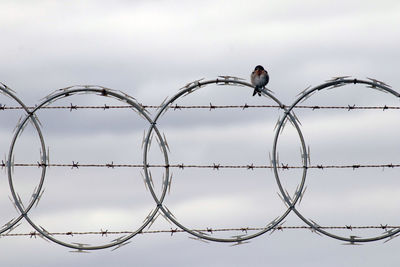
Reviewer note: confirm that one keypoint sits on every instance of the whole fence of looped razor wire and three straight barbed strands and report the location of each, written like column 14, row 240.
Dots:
column 206, row 234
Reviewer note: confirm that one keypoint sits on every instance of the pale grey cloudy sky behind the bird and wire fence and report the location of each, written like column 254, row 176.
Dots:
column 150, row 49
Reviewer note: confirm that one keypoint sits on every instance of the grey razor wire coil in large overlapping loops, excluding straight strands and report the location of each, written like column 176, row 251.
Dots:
column 161, row 208
